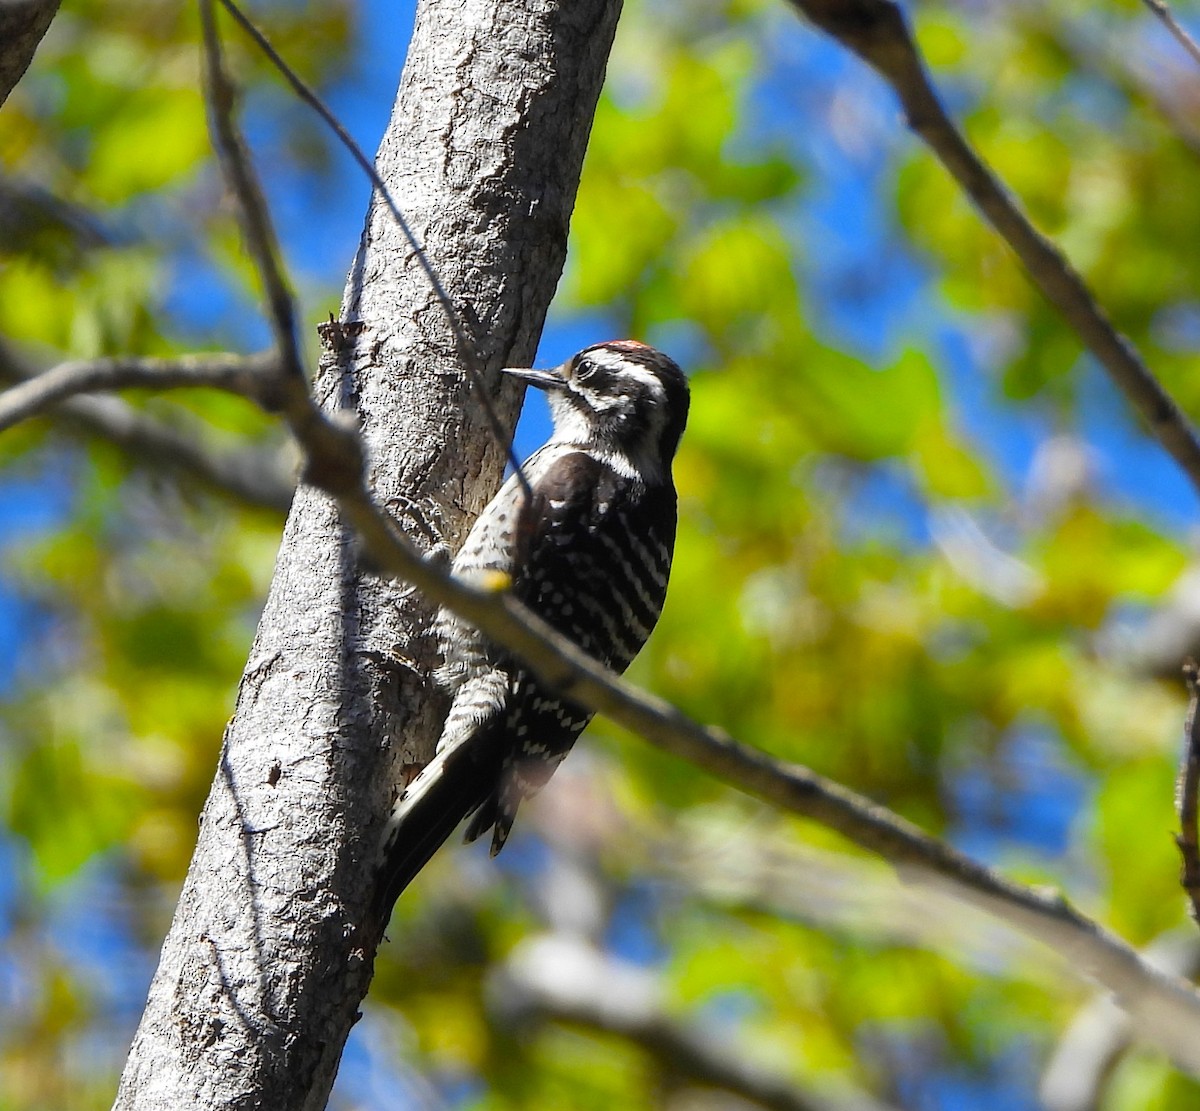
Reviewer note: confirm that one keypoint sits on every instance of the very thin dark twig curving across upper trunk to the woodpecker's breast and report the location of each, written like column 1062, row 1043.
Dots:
column 467, row 352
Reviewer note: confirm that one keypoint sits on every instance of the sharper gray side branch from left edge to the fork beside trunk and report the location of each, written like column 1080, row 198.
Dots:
column 245, row 375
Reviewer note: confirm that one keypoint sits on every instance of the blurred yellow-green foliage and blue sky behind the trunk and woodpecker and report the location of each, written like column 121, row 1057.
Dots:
column 925, row 550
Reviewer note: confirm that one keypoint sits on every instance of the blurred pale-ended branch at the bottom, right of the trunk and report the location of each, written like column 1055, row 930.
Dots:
column 563, row 980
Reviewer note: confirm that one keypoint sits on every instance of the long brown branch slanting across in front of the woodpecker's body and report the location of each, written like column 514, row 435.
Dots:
column 1167, row 1011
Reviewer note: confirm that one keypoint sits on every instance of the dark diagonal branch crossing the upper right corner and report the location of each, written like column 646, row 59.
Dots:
column 877, row 31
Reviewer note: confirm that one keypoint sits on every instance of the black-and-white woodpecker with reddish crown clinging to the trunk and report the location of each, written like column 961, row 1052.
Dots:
column 589, row 550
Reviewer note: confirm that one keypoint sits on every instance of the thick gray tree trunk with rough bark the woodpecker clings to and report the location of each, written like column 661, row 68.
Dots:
column 271, row 951
